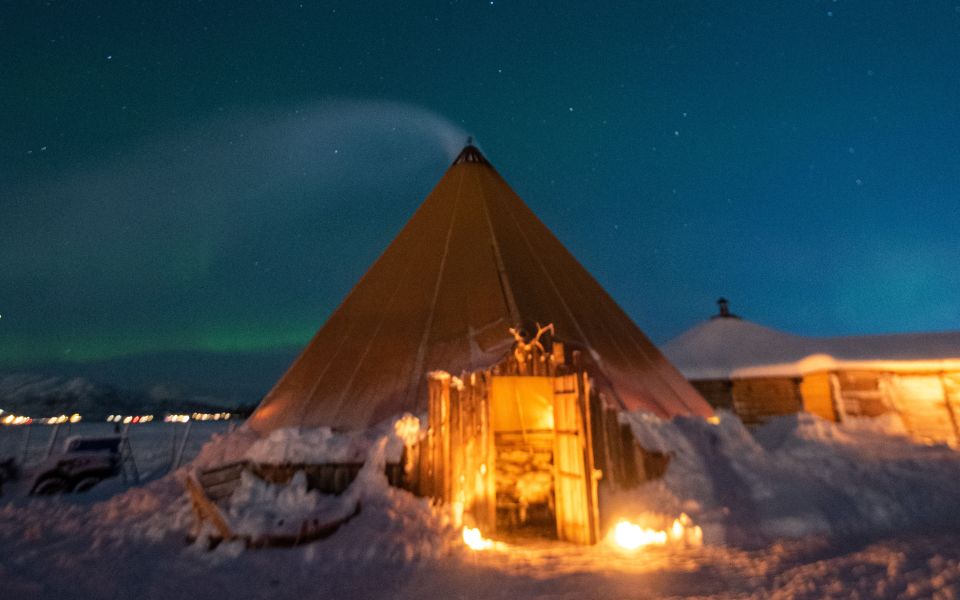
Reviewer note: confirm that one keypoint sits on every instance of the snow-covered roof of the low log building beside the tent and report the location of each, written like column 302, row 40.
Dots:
column 720, row 347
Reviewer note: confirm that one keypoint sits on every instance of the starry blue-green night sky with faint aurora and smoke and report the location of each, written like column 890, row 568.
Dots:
column 215, row 176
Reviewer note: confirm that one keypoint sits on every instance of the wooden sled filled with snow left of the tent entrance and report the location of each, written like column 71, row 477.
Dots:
column 209, row 489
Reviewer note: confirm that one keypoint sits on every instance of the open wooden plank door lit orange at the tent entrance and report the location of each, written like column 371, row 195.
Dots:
column 574, row 485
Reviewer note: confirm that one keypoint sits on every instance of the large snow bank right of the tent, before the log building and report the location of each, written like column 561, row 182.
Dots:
column 798, row 476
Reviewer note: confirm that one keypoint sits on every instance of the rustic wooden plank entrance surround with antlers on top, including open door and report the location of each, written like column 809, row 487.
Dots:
column 595, row 450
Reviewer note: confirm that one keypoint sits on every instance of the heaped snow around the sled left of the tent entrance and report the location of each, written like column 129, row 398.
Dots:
column 392, row 526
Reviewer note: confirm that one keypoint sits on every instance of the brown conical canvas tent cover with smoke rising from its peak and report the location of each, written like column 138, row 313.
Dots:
column 473, row 261
